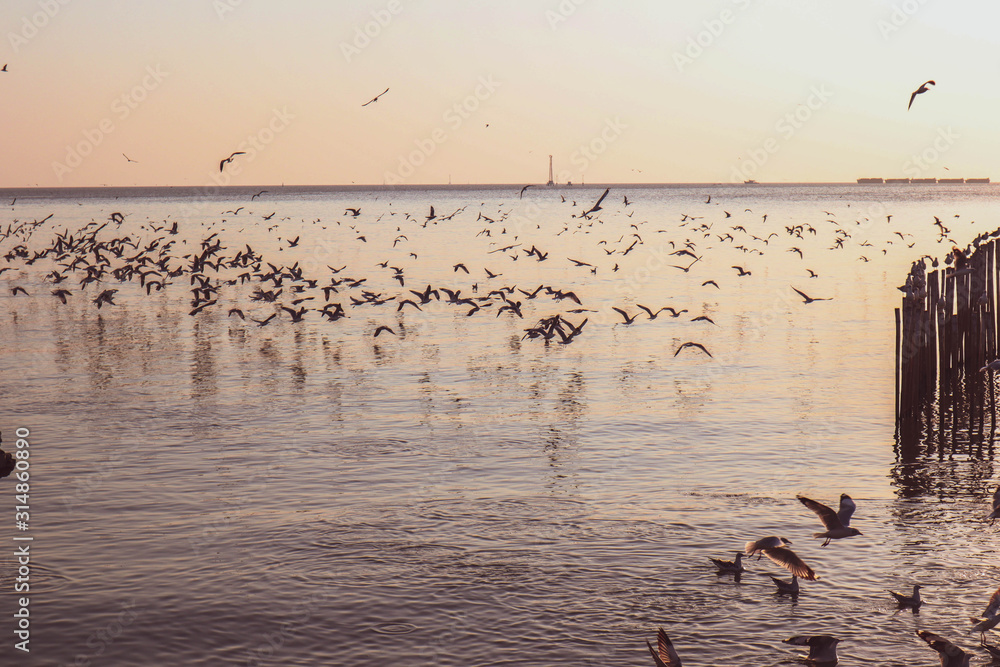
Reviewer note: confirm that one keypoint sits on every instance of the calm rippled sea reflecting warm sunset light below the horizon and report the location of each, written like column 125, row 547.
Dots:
column 207, row 491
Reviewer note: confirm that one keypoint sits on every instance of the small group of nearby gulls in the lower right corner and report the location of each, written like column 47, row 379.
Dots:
column 823, row 648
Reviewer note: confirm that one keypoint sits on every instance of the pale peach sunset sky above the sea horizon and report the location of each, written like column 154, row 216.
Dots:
column 483, row 92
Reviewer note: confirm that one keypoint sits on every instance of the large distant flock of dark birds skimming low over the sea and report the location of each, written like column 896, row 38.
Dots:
column 609, row 240
